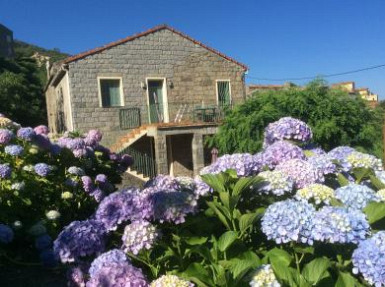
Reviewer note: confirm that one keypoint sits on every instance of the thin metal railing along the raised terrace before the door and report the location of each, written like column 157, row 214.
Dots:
column 182, row 112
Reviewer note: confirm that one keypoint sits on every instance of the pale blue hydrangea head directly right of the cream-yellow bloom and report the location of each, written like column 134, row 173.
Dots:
column 356, row 196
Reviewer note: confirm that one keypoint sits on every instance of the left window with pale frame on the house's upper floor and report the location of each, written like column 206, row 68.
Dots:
column 111, row 92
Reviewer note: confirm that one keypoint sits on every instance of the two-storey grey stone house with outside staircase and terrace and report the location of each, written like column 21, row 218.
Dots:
column 156, row 94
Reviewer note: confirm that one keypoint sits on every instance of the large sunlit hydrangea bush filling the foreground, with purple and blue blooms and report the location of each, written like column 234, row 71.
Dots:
column 286, row 216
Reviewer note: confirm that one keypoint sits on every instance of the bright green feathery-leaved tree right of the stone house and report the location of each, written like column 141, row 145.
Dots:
column 335, row 117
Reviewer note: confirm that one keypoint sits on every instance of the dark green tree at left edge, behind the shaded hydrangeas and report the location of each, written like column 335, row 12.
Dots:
column 21, row 91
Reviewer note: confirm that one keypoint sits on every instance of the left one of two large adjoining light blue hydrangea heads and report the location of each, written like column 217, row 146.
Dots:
column 289, row 220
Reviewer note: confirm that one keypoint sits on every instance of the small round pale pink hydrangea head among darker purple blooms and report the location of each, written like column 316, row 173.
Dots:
column 139, row 235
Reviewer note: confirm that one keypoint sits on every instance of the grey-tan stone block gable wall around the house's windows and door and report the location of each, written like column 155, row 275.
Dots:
column 191, row 68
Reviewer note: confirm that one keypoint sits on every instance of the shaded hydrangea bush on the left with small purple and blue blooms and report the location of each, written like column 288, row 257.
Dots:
column 46, row 184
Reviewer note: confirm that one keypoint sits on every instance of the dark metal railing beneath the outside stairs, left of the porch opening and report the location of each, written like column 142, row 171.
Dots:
column 143, row 163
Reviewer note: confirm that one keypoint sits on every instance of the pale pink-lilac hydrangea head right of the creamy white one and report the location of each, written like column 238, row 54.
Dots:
column 302, row 172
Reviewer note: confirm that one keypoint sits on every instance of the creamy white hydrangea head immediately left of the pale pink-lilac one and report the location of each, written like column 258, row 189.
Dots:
column 274, row 182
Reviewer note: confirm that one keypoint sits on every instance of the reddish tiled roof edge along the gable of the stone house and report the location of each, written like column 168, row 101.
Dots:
column 150, row 31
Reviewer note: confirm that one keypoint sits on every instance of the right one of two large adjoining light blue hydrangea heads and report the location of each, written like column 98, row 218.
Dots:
column 338, row 224
